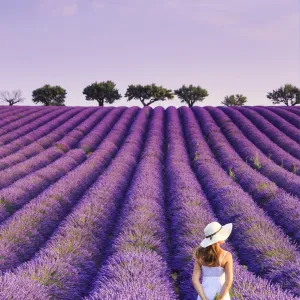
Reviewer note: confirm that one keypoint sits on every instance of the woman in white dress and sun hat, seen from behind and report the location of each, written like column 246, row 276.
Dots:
column 215, row 263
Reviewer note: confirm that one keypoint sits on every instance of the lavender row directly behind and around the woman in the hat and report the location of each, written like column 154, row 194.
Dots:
column 190, row 211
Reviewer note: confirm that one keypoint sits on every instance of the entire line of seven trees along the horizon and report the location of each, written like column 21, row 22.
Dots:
column 106, row 92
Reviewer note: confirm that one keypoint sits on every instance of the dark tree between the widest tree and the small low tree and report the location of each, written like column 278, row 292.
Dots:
column 191, row 94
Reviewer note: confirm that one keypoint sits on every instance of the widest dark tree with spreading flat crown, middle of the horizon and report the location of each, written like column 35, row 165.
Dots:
column 151, row 92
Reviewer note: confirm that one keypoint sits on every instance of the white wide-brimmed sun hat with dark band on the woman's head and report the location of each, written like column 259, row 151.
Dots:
column 215, row 232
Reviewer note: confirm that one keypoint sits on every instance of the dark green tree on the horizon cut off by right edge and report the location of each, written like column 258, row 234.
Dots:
column 289, row 95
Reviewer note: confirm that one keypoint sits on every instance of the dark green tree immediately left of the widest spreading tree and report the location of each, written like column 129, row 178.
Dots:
column 102, row 92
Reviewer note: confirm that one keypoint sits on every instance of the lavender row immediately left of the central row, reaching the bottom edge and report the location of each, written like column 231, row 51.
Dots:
column 70, row 259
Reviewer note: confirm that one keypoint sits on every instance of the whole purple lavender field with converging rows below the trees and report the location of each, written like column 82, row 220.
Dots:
column 110, row 202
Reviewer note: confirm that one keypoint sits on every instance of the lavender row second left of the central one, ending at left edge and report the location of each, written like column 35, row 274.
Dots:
column 25, row 232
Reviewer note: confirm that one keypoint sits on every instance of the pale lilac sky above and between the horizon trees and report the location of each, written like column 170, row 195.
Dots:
column 227, row 47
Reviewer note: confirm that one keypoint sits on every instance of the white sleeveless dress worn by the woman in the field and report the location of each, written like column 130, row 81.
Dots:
column 213, row 280
